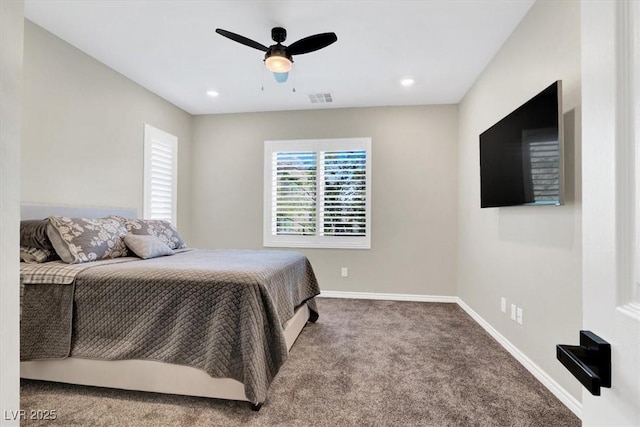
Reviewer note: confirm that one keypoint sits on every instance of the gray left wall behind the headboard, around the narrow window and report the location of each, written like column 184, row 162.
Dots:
column 83, row 127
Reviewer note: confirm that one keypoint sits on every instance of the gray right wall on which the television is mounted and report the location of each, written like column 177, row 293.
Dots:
column 530, row 255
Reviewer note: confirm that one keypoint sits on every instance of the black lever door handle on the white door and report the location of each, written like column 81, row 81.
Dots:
column 590, row 362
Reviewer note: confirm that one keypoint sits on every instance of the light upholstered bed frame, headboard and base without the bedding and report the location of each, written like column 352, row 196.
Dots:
column 141, row 375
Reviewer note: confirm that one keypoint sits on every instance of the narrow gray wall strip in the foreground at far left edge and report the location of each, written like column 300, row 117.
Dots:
column 11, row 24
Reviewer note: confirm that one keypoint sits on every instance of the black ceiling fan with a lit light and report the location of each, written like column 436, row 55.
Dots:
column 278, row 57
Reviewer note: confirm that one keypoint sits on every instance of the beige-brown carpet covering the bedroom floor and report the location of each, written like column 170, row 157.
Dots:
column 365, row 363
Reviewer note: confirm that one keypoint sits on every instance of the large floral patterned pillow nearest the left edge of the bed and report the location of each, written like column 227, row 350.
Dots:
column 78, row 240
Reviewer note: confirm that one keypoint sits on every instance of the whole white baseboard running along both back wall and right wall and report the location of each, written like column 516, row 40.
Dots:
column 565, row 397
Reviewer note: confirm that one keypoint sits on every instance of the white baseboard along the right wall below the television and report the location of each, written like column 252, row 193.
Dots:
column 558, row 391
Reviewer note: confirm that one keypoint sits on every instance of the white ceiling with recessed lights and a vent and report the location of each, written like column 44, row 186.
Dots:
column 170, row 47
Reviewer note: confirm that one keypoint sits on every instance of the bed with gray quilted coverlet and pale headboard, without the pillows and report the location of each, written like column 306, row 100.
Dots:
column 208, row 323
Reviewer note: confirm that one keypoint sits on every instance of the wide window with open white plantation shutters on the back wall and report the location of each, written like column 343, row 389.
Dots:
column 317, row 193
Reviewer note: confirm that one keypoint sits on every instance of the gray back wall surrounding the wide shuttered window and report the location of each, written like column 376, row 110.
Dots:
column 414, row 184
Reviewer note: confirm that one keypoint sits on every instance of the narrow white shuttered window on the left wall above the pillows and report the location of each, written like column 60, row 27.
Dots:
column 160, row 174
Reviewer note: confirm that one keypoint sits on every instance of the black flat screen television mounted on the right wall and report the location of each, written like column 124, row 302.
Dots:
column 521, row 156
